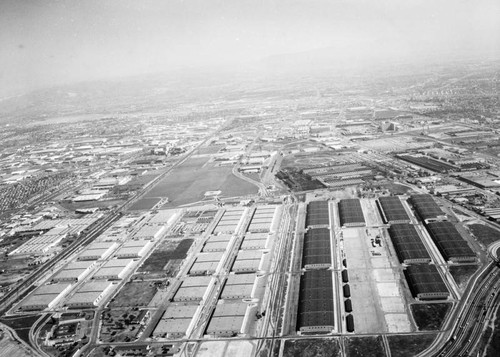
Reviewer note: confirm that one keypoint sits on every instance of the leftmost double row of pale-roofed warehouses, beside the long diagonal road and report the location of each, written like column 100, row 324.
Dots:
column 96, row 271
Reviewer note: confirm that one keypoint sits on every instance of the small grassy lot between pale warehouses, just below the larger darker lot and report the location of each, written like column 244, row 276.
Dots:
column 133, row 294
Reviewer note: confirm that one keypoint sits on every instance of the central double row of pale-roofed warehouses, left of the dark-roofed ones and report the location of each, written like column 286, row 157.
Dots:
column 245, row 254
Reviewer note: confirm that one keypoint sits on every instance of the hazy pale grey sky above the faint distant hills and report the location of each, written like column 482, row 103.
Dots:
column 45, row 42
